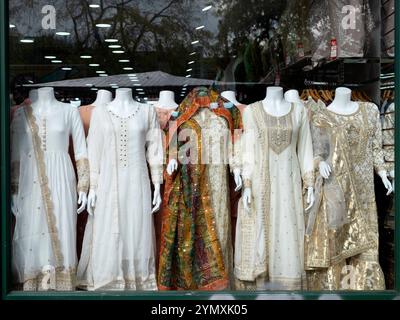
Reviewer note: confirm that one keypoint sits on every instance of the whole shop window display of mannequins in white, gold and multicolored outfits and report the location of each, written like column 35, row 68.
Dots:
column 201, row 146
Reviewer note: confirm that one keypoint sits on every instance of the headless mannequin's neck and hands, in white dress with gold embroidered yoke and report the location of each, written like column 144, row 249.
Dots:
column 275, row 104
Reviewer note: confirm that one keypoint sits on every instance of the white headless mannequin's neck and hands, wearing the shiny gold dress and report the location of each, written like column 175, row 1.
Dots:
column 343, row 105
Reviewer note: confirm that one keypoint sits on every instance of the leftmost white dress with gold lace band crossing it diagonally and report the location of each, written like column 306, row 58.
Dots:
column 43, row 179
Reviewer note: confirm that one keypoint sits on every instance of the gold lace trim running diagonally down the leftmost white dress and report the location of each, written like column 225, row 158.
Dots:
column 44, row 186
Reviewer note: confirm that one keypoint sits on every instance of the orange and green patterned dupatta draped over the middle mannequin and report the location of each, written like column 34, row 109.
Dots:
column 190, row 253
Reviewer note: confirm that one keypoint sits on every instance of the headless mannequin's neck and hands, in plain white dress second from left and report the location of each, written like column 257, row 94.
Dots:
column 123, row 105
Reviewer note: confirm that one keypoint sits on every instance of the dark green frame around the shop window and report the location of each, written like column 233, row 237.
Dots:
column 8, row 294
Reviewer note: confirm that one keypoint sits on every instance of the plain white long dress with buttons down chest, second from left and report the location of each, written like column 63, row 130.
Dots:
column 119, row 244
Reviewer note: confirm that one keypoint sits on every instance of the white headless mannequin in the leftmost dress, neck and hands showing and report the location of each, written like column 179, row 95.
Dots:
column 45, row 103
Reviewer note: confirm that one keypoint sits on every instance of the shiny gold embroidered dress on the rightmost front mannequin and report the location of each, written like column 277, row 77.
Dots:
column 342, row 232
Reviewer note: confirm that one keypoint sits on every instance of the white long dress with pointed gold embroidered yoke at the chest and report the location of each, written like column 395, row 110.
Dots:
column 278, row 165
